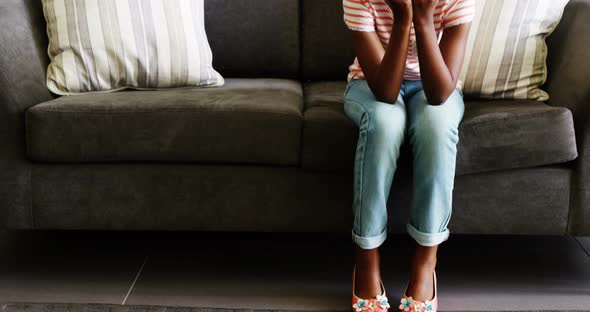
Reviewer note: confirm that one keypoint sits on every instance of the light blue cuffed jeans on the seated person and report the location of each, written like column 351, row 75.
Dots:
column 434, row 135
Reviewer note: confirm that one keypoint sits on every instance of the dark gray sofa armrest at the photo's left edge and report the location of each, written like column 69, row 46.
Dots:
column 23, row 62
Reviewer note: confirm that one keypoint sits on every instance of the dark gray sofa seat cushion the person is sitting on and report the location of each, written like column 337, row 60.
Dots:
column 493, row 135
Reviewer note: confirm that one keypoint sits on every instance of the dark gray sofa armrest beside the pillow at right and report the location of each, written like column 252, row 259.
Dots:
column 568, row 86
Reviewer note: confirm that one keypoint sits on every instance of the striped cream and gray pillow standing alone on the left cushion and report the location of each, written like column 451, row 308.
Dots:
column 110, row 45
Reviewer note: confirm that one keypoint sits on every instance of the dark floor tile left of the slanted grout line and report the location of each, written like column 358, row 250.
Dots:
column 65, row 268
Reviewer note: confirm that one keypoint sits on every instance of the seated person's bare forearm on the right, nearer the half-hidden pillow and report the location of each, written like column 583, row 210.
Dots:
column 436, row 78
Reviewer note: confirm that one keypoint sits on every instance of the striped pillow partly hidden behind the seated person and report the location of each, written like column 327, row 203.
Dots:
column 506, row 51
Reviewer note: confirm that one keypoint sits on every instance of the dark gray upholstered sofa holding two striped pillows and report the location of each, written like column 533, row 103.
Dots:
column 272, row 150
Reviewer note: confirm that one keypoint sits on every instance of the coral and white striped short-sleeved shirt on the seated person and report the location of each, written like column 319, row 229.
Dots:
column 376, row 15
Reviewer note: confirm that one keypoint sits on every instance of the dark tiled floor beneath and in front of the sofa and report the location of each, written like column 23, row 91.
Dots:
column 284, row 271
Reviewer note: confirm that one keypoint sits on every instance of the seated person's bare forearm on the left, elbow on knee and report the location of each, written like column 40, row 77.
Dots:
column 387, row 78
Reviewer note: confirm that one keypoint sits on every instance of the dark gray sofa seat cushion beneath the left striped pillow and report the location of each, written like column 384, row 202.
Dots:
column 245, row 121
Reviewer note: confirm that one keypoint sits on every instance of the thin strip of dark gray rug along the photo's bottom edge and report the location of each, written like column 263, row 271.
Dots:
column 78, row 307
